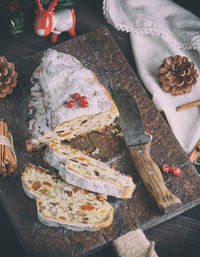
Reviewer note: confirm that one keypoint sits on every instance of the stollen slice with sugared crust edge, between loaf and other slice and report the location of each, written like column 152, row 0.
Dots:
column 83, row 171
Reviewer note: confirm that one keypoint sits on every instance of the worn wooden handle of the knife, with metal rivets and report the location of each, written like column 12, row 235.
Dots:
column 153, row 179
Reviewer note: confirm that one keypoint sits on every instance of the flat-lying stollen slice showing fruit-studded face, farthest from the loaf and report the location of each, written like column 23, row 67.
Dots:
column 63, row 205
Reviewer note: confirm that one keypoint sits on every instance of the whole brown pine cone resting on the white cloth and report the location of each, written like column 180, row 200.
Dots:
column 177, row 75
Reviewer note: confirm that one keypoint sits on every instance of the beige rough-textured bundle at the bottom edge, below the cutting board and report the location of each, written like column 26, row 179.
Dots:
column 134, row 244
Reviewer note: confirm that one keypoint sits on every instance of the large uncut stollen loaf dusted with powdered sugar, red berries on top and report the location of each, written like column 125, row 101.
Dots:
column 57, row 78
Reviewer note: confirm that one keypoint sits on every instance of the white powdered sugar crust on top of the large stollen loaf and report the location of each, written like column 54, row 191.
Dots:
column 57, row 78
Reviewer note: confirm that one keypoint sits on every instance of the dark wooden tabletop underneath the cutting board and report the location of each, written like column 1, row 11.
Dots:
column 179, row 236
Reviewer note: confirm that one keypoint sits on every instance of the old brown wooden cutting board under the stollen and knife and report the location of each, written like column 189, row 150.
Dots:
column 97, row 51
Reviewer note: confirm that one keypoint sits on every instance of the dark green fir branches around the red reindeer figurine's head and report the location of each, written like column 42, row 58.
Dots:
column 15, row 10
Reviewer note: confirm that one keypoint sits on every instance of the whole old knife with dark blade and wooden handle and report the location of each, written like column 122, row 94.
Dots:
column 139, row 145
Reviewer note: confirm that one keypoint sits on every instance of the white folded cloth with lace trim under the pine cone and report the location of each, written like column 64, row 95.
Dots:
column 159, row 29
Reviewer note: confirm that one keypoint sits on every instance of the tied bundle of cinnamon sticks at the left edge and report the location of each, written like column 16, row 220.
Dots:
column 8, row 161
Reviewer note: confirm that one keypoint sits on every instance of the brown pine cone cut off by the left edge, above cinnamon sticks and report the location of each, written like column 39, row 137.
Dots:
column 8, row 77
